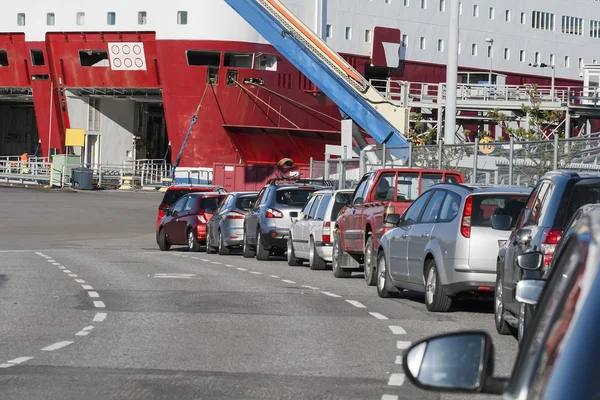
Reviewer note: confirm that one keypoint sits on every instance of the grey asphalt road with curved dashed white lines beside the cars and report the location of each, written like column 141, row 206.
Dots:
column 90, row 309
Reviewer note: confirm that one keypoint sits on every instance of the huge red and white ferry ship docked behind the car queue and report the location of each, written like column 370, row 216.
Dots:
column 133, row 74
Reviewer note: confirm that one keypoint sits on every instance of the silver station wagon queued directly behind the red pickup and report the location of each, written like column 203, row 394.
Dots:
column 444, row 244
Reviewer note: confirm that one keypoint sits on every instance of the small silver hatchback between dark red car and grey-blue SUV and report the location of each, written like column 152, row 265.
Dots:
column 226, row 228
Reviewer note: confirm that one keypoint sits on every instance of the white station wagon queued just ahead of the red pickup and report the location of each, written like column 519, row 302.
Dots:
column 310, row 236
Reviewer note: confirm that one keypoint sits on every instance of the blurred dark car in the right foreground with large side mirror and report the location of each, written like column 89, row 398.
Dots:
column 558, row 358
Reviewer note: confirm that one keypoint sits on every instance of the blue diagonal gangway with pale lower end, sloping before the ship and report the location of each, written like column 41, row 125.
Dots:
column 385, row 121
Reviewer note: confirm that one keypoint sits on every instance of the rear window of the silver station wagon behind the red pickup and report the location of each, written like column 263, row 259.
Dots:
column 484, row 206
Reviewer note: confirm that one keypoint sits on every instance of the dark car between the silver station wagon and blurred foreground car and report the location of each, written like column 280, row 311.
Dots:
column 539, row 228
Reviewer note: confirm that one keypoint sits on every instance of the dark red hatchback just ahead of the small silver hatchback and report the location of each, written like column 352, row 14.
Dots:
column 185, row 222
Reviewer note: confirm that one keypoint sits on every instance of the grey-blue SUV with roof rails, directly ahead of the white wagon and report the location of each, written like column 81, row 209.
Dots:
column 267, row 225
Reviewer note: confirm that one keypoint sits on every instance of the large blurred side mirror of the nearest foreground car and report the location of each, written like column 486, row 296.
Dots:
column 460, row 361
